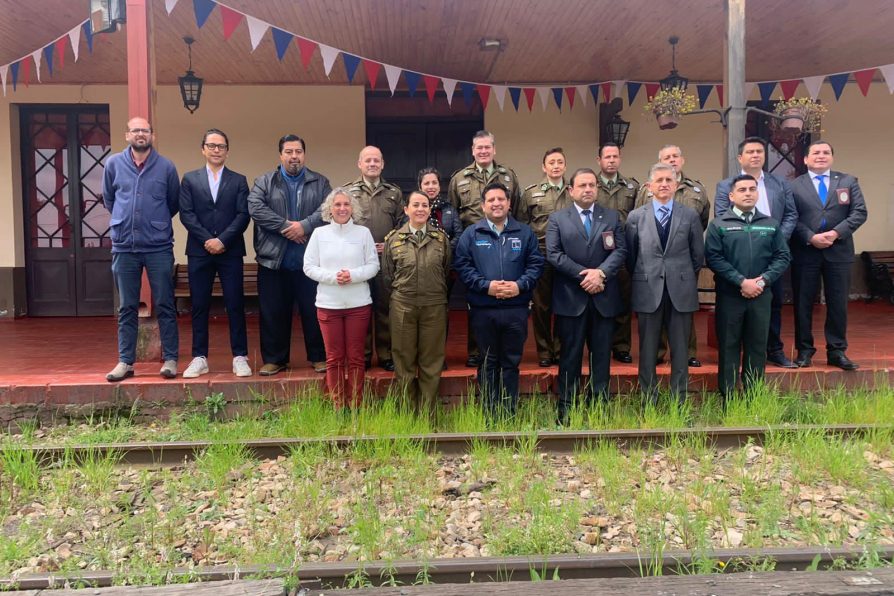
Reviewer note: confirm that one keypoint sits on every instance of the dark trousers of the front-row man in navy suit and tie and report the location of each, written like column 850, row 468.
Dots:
column 596, row 331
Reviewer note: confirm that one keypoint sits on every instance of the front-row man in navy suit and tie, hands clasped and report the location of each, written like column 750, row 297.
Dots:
column 586, row 246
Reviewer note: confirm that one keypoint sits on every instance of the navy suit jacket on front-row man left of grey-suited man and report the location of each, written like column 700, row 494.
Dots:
column 570, row 251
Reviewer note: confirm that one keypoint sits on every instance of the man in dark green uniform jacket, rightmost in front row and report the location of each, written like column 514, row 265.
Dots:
column 747, row 252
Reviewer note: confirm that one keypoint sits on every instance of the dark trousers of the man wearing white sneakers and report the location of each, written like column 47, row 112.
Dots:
column 202, row 270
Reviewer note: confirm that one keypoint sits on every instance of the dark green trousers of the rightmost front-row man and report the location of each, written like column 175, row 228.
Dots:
column 742, row 327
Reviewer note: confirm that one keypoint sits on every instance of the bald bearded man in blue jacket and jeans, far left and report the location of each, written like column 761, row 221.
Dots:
column 141, row 190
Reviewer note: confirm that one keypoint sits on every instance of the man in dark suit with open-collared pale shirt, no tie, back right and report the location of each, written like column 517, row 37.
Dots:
column 776, row 200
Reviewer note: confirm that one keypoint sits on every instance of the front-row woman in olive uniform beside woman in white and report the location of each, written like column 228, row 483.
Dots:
column 416, row 263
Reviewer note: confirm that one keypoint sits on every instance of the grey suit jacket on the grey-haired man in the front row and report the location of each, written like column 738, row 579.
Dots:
column 675, row 266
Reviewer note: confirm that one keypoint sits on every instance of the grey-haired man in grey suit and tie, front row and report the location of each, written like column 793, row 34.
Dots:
column 665, row 251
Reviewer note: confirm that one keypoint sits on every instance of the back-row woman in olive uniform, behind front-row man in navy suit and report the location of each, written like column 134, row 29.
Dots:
column 537, row 203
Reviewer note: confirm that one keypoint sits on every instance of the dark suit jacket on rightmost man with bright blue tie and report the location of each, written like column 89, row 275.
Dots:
column 844, row 212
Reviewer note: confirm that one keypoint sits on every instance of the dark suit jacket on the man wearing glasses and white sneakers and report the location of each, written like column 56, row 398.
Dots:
column 204, row 219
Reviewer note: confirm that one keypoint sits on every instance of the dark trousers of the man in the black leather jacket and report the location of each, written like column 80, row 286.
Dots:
column 278, row 292
